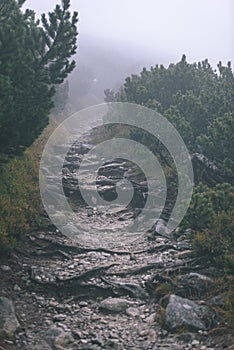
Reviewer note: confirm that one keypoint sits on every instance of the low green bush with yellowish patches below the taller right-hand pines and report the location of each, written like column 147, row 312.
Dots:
column 211, row 217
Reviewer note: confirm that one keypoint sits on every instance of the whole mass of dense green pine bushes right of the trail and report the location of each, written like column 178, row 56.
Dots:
column 199, row 101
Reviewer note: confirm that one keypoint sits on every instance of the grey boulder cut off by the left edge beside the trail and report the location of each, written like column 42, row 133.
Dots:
column 8, row 320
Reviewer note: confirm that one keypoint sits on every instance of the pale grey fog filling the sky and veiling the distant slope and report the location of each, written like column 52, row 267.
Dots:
column 120, row 37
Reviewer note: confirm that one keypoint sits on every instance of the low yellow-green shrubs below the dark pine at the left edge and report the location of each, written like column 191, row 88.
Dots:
column 20, row 204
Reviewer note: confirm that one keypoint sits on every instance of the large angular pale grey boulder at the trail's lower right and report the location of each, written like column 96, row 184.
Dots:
column 186, row 314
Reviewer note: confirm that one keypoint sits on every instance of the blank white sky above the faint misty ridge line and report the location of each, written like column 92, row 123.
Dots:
column 199, row 28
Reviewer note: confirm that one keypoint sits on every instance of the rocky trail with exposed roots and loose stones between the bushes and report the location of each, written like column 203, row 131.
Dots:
column 154, row 293
